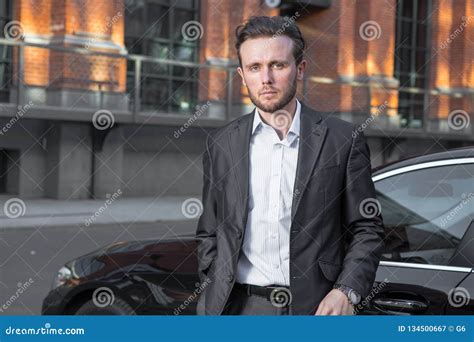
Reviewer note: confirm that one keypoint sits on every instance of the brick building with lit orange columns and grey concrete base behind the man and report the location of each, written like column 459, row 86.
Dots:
column 101, row 95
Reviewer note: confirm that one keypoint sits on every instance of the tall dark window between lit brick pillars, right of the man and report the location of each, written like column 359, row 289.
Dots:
column 411, row 59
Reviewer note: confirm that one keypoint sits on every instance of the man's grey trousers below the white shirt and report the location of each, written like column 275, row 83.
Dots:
column 239, row 303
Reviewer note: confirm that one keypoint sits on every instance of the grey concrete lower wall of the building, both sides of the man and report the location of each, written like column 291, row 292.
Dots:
column 54, row 159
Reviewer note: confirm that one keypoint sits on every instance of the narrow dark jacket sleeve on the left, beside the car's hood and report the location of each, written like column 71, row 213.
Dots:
column 206, row 229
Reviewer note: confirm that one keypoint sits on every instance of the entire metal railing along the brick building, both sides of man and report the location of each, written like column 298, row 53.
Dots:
column 228, row 104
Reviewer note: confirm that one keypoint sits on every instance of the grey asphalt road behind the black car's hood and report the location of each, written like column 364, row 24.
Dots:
column 38, row 253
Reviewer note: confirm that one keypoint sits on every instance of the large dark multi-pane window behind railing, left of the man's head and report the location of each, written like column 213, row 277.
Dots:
column 154, row 28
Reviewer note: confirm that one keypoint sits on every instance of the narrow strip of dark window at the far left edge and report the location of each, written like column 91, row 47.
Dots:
column 5, row 52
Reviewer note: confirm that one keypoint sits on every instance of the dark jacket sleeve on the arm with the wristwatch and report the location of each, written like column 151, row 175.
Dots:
column 362, row 221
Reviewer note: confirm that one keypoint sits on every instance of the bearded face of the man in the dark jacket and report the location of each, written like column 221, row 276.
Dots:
column 269, row 71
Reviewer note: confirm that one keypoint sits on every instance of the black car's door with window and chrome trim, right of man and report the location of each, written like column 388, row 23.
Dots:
column 427, row 209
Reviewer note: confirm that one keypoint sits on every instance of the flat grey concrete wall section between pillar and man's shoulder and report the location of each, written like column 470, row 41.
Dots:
column 150, row 162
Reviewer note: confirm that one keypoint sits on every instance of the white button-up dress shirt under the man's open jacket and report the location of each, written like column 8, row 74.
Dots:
column 265, row 256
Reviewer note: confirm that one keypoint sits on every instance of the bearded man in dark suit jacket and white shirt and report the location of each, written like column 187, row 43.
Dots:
column 288, row 226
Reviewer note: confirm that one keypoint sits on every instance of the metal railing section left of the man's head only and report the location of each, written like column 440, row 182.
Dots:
column 133, row 94
